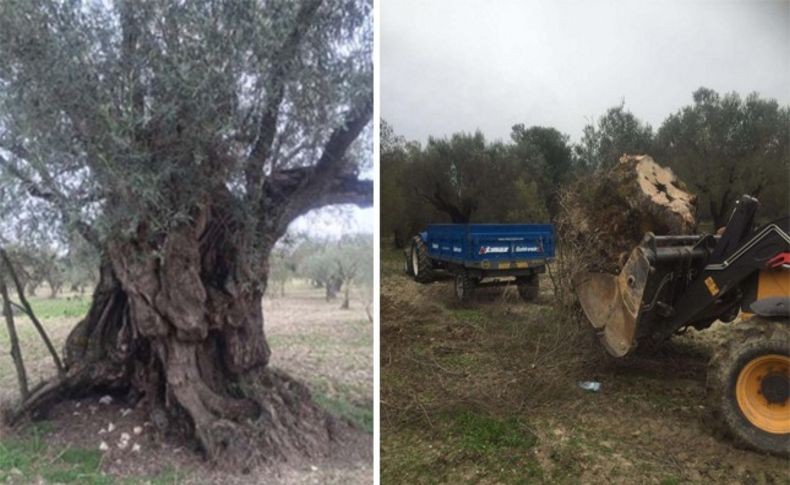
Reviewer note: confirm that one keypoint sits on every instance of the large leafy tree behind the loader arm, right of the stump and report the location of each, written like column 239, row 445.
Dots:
column 725, row 146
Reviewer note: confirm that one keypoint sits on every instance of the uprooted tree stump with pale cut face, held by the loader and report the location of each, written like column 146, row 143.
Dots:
column 604, row 216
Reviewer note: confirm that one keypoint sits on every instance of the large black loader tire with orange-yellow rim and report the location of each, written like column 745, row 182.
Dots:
column 748, row 385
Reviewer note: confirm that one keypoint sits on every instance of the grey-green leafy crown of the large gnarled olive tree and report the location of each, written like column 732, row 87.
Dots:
column 123, row 116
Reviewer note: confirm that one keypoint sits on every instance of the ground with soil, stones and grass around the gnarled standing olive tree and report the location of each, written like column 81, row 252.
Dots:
column 313, row 340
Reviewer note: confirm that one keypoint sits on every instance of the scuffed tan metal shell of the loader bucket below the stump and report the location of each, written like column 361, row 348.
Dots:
column 612, row 303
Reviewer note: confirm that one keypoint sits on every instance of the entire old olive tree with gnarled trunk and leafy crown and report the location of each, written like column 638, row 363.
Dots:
column 180, row 139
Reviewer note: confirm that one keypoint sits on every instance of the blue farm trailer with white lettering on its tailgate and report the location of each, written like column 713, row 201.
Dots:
column 483, row 255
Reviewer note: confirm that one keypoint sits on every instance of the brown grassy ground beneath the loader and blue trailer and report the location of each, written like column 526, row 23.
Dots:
column 488, row 393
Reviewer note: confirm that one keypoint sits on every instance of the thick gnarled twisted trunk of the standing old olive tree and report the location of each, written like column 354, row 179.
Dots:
column 177, row 326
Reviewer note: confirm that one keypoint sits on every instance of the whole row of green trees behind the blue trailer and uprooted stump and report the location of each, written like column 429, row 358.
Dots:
column 721, row 146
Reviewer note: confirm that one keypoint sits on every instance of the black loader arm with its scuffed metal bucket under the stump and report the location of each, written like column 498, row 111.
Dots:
column 670, row 282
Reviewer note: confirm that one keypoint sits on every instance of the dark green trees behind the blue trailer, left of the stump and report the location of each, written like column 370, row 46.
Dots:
column 464, row 178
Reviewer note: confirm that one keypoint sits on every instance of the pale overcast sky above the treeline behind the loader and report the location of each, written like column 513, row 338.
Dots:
column 460, row 65
